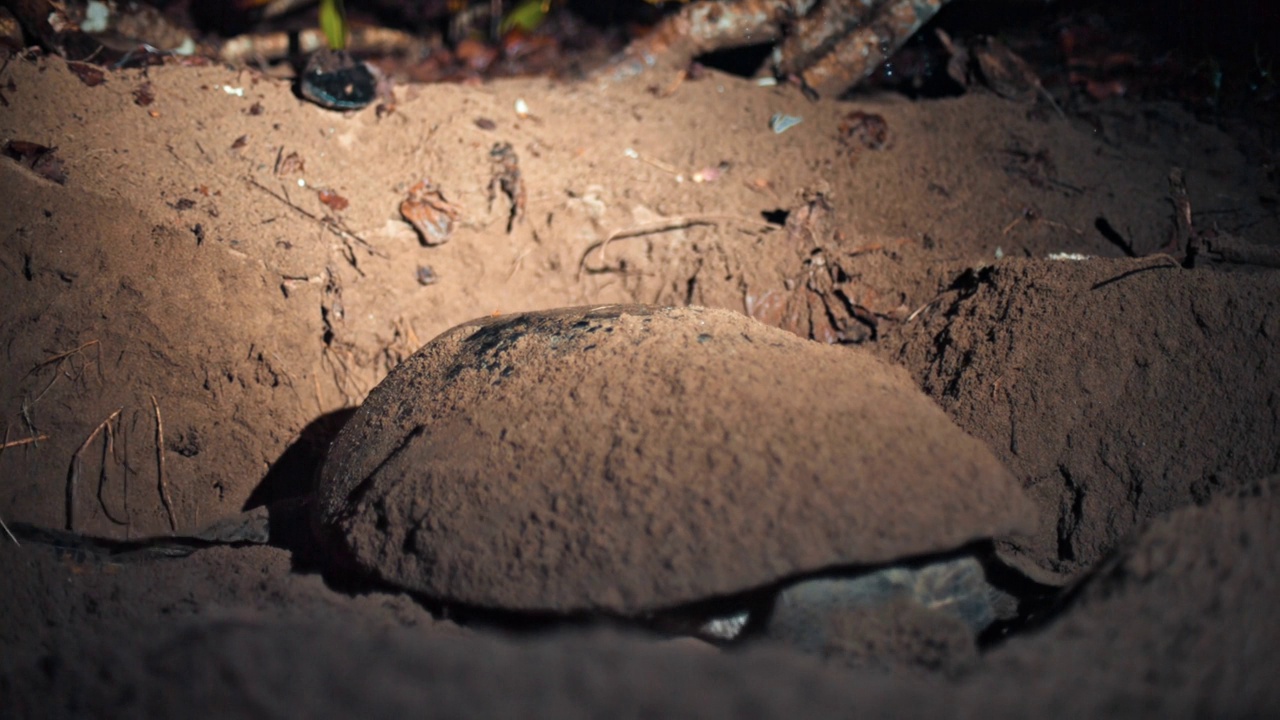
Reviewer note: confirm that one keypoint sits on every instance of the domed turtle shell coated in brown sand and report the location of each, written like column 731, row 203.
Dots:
column 629, row 458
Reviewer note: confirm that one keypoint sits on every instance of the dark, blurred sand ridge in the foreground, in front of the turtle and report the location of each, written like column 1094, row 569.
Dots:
column 1178, row 626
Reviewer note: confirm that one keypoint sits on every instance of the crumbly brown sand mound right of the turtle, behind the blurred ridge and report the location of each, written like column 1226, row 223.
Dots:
column 1116, row 390
